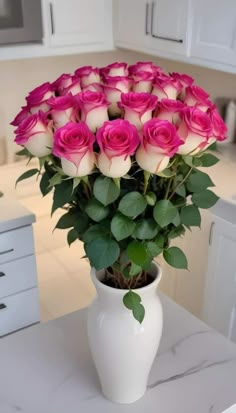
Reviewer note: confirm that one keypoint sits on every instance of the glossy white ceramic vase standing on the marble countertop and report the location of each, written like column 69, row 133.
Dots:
column 123, row 349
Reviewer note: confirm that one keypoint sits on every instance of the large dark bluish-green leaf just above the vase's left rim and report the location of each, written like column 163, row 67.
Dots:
column 102, row 252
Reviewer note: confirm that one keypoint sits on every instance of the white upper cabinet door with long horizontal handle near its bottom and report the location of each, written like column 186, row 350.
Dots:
column 169, row 25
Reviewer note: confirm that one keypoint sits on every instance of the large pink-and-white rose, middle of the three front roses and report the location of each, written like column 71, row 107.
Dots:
column 117, row 139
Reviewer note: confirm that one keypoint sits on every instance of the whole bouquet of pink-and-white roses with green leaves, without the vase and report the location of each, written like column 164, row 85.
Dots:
column 121, row 147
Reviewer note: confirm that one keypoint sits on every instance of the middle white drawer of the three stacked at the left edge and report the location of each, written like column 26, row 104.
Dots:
column 17, row 275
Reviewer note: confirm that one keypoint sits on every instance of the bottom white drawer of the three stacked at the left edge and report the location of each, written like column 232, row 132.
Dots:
column 19, row 310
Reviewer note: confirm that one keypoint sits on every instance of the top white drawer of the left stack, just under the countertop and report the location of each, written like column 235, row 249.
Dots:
column 16, row 243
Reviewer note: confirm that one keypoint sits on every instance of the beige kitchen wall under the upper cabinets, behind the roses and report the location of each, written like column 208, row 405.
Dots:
column 18, row 77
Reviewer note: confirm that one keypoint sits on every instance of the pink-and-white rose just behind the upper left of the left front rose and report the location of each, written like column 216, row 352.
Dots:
column 63, row 109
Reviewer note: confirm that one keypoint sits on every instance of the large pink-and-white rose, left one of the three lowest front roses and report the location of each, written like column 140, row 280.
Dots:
column 73, row 143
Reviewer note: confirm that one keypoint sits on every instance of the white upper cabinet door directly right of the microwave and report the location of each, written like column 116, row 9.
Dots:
column 76, row 22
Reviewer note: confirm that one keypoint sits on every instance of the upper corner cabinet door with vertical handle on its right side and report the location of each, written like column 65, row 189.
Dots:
column 131, row 23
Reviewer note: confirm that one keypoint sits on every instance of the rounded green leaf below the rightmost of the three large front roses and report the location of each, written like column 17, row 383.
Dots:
column 164, row 212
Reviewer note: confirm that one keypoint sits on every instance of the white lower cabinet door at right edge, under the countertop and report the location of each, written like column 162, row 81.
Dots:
column 220, row 294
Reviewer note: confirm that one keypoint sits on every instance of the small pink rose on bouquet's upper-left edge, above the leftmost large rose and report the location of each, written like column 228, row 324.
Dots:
column 37, row 98
